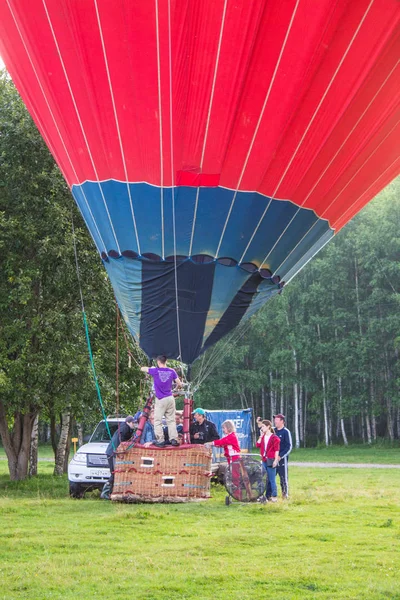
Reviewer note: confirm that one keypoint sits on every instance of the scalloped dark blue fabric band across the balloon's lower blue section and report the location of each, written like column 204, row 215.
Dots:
column 199, row 259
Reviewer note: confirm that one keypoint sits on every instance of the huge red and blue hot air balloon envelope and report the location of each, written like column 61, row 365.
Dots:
column 212, row 147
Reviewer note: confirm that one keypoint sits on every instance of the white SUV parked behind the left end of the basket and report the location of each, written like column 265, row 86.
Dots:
column 88, row 470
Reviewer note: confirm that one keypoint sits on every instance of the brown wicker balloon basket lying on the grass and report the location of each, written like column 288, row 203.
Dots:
column 162, row 474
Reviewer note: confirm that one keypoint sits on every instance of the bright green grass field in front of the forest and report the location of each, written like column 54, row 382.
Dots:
column 338, row 537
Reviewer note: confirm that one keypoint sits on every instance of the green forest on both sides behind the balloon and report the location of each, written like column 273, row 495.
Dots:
column 325, row 352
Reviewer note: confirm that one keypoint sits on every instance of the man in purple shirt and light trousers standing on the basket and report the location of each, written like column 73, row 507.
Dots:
column 163, row 378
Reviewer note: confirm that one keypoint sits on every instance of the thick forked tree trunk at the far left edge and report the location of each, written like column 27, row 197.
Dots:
column 17, row 442
